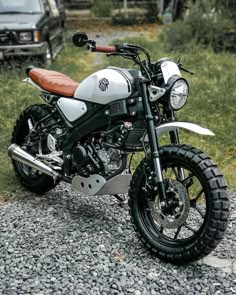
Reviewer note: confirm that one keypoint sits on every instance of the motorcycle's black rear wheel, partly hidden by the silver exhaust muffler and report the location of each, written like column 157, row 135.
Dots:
column 30, row 178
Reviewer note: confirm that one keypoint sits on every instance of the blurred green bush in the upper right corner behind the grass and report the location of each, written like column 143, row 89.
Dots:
column 204, row 27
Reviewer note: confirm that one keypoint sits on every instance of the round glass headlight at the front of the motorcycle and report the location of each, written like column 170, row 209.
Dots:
column 178, row 94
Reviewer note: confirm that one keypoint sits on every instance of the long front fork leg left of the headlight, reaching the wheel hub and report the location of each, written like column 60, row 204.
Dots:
column 153, row 141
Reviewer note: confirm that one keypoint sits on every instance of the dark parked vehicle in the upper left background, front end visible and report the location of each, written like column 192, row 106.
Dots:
column 31, row 28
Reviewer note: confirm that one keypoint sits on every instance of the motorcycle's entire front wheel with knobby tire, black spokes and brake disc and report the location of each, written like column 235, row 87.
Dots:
column 195, row 219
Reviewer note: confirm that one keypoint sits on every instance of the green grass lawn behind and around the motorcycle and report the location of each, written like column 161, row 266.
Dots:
column 211, row 103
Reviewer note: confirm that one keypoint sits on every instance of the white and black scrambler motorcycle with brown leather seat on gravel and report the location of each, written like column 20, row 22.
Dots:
column 86, row 133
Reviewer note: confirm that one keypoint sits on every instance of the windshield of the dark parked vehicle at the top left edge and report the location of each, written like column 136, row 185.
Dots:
column 20, row 6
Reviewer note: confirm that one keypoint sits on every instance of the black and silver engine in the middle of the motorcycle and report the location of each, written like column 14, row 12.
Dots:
column 106, row 152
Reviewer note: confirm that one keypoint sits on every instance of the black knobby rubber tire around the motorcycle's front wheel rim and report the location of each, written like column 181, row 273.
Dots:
column 211, row 231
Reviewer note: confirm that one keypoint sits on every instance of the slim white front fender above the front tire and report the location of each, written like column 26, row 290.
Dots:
column 167, row 127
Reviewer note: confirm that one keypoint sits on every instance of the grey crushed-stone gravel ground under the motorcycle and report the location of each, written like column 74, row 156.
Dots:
column 64, row 243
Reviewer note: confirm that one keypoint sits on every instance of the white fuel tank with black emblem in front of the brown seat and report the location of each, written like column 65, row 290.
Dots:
column 104, row 86
